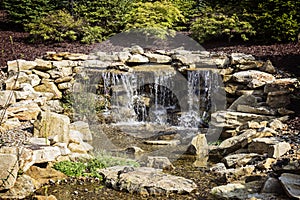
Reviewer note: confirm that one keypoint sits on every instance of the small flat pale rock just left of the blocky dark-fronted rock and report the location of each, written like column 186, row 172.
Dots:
column 238, row 160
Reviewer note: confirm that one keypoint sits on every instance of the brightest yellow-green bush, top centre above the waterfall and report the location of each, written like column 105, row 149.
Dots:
column 153, row 18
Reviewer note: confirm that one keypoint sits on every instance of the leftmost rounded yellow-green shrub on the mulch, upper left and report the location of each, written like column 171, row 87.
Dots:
column 57, row 26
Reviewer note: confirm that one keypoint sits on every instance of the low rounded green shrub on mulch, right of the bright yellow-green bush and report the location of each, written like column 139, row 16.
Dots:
column 211, row 24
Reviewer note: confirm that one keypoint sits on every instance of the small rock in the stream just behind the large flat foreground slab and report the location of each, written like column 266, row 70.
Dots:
column 159, row 162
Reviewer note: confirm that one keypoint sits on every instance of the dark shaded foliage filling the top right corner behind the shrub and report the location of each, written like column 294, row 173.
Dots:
column 272, row 20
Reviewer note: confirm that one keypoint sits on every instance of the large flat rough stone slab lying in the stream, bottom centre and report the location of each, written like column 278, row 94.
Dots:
column 146, row 181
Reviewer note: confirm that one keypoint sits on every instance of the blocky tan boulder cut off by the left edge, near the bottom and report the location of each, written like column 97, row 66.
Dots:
column 8, row 170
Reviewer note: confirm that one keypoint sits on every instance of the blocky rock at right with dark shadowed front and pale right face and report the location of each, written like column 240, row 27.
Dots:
column 272, row 146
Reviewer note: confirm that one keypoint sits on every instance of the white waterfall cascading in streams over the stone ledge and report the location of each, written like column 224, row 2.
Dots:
column 158, row 97
